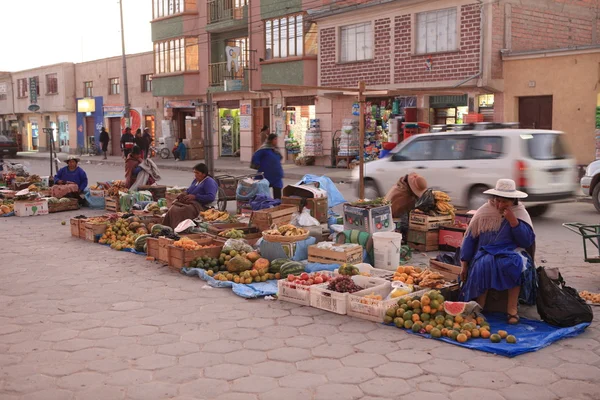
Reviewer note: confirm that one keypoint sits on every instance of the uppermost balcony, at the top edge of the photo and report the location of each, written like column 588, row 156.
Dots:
column 226, row 15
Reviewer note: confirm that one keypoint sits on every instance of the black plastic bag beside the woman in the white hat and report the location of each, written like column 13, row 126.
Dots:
column 559, row 304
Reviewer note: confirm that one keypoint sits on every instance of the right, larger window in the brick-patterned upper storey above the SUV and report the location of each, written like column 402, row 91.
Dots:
column 436, row 31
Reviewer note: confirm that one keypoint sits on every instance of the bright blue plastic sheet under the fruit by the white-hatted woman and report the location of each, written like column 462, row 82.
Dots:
column 531, row 336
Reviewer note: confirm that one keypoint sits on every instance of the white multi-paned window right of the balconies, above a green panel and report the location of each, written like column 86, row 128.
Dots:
column 284, row 37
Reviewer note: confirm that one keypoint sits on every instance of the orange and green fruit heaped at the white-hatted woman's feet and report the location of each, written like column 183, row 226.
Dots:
column 431, row 314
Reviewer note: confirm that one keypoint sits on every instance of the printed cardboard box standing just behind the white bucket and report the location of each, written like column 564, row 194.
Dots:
column 370, row 220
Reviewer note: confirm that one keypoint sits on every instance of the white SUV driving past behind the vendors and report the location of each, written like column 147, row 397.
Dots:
column 464, row 164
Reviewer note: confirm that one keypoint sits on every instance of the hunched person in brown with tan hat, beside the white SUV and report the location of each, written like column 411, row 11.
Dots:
column 403, row 197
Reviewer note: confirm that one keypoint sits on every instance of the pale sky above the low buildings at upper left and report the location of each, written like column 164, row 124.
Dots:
column 34, row 33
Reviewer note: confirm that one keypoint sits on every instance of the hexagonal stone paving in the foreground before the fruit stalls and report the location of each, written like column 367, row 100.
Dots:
column 80, row 321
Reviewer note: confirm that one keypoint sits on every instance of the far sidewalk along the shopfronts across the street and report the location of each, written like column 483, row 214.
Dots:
column 231, row 166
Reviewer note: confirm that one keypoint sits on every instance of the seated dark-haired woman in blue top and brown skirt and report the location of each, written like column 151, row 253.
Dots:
column 200, row 196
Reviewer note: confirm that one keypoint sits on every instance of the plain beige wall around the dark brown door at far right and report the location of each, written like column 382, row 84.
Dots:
column 572, row 81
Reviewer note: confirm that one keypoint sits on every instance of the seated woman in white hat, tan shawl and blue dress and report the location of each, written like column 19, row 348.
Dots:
column 496, row 251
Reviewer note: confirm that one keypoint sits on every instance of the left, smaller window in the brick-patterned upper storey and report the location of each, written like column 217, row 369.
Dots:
column 356, row 42
